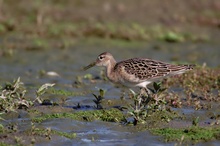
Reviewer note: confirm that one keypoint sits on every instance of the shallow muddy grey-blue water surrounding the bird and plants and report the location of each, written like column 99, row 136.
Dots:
column 67, row 64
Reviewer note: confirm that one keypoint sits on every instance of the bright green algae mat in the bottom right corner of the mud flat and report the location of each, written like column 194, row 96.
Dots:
column 194, row 134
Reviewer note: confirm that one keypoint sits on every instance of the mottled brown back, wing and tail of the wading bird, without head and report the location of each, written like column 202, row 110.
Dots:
column 137, row 70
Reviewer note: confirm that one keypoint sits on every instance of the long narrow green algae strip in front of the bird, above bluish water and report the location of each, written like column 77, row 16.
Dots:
column 111, row 115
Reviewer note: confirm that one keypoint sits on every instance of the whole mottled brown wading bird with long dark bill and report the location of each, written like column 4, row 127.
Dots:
column 137, row 71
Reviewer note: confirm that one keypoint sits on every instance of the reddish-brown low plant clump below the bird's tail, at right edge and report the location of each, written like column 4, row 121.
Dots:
column 202, row 84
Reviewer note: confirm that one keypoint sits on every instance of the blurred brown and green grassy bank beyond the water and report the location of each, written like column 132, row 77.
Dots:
column 116, row 19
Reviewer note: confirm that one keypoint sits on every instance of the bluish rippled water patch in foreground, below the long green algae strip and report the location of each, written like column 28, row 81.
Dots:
column 100, row 133
